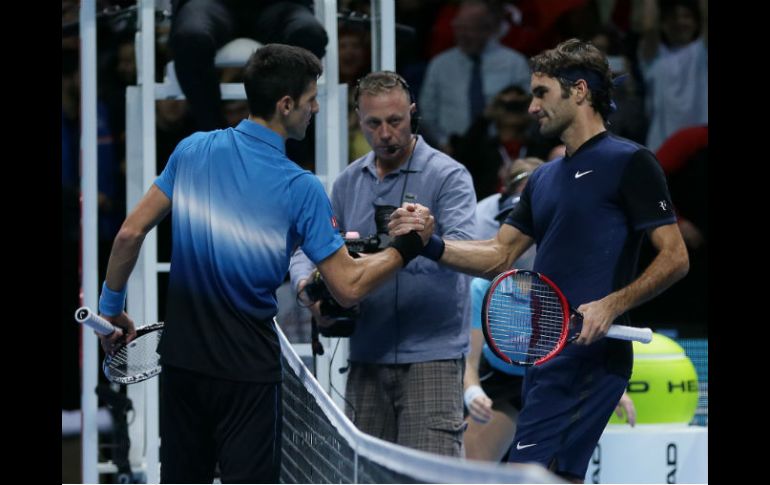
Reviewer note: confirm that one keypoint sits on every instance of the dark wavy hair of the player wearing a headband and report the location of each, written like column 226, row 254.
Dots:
column 575, row 59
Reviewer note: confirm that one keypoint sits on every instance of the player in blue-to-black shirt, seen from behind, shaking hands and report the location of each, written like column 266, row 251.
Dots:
column 240, row 207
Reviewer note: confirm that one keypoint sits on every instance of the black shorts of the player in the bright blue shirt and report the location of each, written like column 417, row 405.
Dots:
column 205, row 421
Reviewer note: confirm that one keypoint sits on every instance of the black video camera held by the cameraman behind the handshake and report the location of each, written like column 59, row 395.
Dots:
column 316, row 290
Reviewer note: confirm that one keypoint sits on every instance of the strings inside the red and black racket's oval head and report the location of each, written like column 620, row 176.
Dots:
column 525, row 318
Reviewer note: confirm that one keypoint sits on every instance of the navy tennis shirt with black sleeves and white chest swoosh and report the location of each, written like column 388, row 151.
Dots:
column 588, row 214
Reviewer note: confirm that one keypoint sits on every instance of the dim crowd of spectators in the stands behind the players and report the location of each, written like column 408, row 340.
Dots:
column 662, row 103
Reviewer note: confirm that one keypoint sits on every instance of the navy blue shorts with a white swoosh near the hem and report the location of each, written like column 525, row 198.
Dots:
column 567, row 403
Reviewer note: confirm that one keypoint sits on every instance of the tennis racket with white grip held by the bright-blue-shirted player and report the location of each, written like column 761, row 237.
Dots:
column 130, row 363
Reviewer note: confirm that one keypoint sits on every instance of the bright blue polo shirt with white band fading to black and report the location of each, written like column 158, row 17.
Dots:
column 239, row 209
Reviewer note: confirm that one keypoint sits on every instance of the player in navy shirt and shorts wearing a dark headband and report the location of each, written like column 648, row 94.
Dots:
column 588, row 213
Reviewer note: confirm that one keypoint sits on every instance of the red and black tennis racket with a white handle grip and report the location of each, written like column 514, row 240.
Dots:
column 526, row 319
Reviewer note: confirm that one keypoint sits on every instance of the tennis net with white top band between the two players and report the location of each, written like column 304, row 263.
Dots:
column 321, row 445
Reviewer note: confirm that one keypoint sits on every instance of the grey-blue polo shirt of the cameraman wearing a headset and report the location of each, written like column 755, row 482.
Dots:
column 423, row 313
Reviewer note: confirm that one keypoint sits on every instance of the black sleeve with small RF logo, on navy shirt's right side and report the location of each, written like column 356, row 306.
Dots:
column 644, row 192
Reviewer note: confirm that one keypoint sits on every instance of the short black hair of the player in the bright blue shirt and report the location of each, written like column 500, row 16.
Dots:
column 275, row 71
